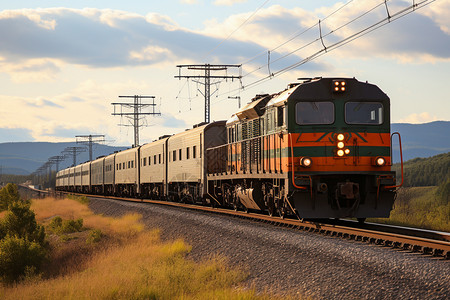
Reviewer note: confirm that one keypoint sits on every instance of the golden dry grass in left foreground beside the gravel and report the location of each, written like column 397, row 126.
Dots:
column 125, row 262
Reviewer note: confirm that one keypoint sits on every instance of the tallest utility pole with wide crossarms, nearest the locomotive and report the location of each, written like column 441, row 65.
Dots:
column 207, row 77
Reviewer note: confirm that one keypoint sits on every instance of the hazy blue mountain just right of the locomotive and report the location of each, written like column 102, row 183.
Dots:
column 422, row 140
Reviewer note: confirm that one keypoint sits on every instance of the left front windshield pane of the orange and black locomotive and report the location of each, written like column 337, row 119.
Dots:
column 314, row 113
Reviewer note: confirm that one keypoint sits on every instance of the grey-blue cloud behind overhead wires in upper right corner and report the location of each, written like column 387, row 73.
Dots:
column 418, row 37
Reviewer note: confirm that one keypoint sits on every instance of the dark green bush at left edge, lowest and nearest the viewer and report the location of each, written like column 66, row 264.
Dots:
column 19, row 256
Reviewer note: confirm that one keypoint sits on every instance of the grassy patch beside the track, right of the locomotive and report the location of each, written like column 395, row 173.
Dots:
column 419, row 207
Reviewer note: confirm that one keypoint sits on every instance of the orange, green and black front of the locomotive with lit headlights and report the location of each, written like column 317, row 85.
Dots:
column 339, row 149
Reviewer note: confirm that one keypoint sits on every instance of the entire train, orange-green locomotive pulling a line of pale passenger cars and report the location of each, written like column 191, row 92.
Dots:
column 321, row 148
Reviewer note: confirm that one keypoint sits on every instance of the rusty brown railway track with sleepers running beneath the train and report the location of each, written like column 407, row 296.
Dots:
column 432, row 243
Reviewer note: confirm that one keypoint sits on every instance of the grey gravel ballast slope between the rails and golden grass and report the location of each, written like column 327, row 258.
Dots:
column 289, row 262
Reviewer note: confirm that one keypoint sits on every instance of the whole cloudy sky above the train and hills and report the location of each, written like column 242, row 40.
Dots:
column 63, row 62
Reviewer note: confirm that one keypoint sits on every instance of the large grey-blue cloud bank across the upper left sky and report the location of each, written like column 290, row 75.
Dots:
column 99, row 39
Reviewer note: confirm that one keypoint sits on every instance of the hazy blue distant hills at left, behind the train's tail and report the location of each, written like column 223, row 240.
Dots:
column 25, row 157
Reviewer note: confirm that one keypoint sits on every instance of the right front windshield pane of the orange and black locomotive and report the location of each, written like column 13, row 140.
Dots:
column 370, row 113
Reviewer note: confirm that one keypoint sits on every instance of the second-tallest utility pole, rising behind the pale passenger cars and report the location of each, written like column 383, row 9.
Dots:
column 134, row 112
